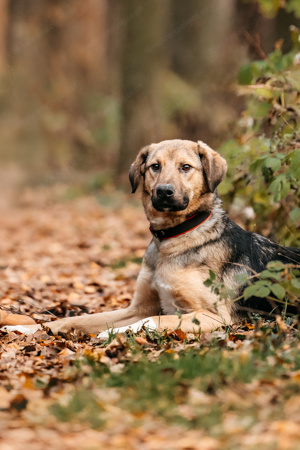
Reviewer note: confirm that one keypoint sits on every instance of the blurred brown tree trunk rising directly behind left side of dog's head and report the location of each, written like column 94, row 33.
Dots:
column 141, row 65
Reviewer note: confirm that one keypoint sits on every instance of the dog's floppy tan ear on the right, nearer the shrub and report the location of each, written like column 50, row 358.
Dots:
column 214, row 166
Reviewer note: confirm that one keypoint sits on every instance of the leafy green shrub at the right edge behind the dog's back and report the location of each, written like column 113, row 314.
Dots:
column 264, row 155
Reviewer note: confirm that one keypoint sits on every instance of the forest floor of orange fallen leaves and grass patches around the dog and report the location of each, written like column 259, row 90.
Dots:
column 231, row 389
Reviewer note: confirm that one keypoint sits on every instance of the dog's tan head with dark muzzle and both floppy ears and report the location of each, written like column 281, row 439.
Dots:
column 176, row 175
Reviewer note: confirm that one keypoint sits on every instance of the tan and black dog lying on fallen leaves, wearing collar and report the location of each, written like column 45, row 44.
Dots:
column 192, row 235
